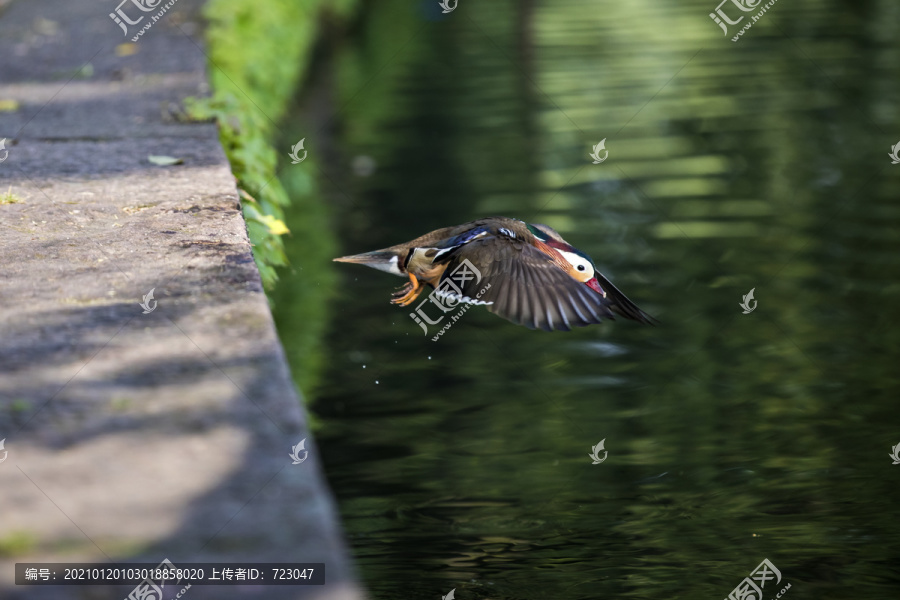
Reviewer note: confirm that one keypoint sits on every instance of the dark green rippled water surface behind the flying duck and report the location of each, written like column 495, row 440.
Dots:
column 732, row 438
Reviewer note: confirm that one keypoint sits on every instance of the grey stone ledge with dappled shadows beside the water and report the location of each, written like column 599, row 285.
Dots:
column 137, row 437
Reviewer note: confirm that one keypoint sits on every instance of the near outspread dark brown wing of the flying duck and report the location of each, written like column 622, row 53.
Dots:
column 526, row 286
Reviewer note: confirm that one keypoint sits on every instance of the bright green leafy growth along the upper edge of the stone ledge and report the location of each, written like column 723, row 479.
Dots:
column 258, row 55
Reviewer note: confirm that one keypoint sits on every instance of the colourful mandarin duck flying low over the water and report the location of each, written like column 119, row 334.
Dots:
column 525, row 273
